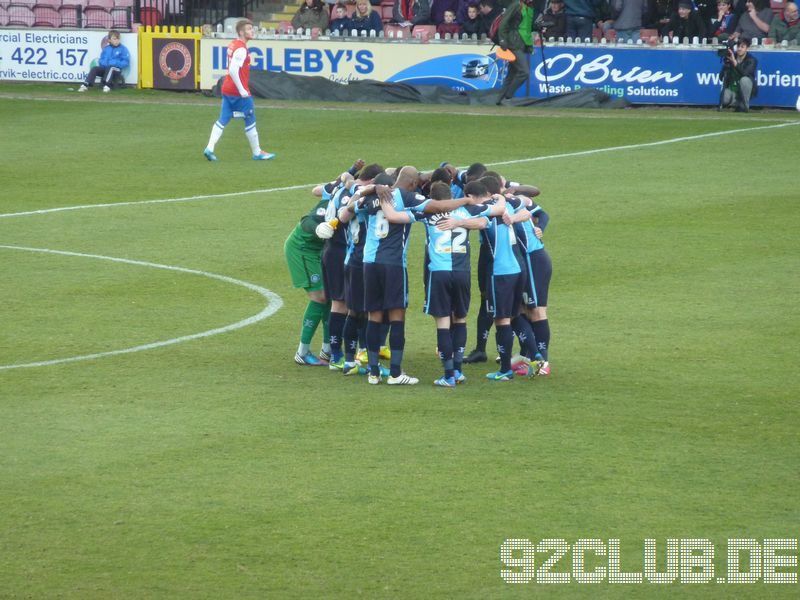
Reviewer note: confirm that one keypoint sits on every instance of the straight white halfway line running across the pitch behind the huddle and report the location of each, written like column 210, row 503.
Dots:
column 689, row 138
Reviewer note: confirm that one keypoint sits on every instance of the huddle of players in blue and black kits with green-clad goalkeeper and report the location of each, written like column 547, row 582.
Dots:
column 349, row 254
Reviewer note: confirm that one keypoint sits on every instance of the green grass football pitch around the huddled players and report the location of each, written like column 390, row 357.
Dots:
column 158, row 441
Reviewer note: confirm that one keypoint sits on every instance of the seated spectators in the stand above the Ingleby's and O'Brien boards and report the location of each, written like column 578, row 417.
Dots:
column 623, row 20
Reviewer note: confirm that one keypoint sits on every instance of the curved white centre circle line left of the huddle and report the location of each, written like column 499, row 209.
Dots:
column 274, row 303
